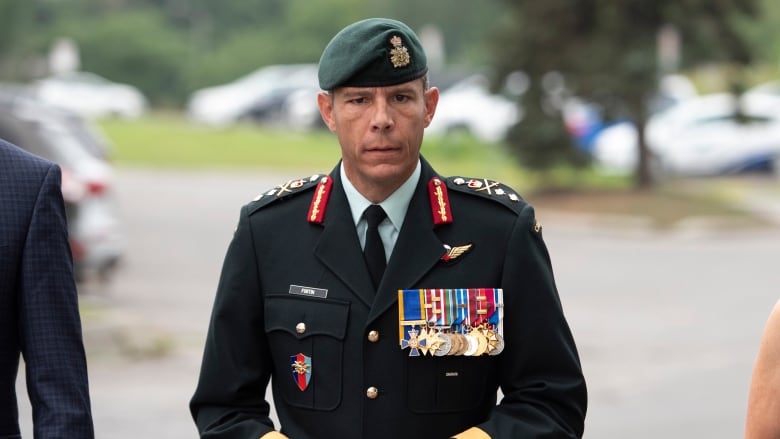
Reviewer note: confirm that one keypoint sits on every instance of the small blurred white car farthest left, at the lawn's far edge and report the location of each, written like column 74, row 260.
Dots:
column 91, row 95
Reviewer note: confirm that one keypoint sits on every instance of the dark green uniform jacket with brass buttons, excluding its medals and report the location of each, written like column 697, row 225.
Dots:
column 255, row 326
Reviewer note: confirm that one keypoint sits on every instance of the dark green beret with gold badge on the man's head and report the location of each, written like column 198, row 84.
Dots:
column 372, row 53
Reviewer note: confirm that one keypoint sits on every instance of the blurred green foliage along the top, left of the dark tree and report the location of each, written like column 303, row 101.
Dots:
column 169, row 48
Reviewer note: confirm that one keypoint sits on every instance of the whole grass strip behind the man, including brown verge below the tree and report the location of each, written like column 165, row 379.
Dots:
column 169, row 141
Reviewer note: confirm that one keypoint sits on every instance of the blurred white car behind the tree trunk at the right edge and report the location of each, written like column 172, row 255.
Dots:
column 699, row 136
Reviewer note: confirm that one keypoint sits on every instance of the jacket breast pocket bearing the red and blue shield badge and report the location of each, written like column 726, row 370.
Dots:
column 306, row 338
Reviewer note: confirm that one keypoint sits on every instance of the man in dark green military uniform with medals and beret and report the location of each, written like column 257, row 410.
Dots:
column 418, row 349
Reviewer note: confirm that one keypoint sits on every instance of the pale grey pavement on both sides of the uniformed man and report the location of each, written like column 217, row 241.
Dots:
column 667, row 324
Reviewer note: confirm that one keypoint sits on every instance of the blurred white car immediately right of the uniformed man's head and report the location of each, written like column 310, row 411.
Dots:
column 469, row 106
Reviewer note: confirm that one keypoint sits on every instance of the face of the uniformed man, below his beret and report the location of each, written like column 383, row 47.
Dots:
column 380, row 130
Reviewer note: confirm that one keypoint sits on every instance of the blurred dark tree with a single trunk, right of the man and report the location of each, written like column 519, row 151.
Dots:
column 606, row 51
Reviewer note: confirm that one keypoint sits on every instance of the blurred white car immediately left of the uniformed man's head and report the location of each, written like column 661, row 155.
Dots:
column 259, row 96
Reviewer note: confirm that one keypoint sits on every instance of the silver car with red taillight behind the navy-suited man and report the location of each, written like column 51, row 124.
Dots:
column 67, row 139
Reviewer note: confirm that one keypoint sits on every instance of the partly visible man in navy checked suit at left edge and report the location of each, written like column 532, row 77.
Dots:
column 39, row 315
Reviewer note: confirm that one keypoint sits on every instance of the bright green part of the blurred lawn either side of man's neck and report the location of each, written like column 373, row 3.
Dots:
column 169, row 141
